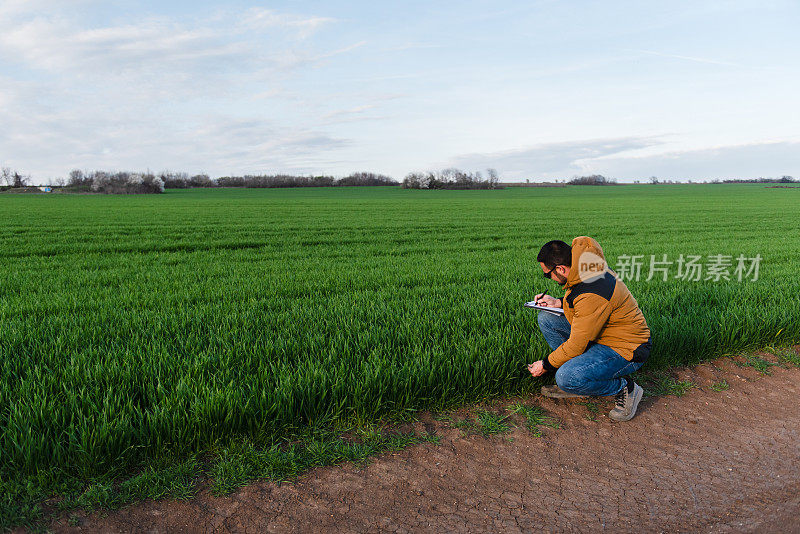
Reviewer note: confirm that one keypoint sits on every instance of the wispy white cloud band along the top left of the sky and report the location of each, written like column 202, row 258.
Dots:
column 59, row 43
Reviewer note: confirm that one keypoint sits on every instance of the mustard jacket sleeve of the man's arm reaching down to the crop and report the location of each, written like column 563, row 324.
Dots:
column 591, row 314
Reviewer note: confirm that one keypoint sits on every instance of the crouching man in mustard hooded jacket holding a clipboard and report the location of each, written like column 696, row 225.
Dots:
column 602, row 336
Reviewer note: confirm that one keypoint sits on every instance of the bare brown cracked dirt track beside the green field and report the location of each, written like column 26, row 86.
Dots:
column 710, row 461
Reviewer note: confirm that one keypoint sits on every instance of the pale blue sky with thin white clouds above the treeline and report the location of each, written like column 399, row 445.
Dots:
column 539, row 90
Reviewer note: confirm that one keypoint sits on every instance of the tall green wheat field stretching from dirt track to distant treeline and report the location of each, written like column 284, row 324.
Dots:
column 134, row 328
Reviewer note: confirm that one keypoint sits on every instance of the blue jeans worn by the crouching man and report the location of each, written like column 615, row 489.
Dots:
column 598, row 371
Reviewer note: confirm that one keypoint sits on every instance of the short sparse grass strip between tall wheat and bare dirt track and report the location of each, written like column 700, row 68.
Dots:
column 33, row 501
